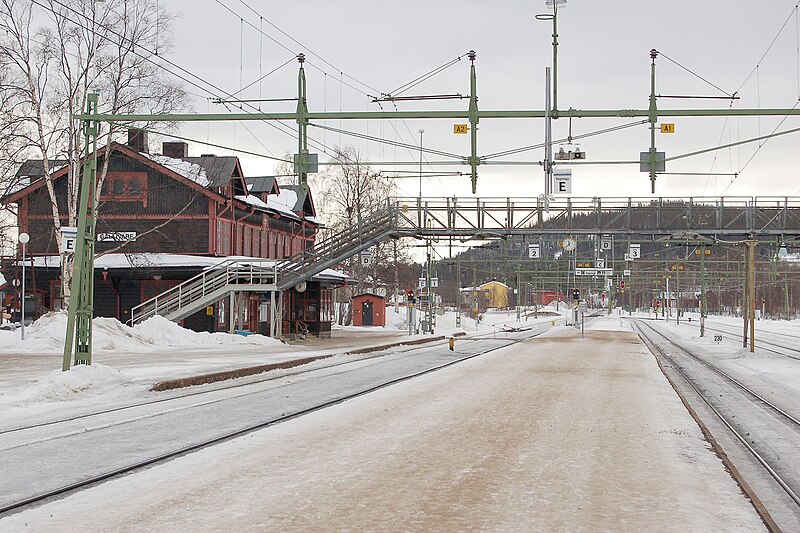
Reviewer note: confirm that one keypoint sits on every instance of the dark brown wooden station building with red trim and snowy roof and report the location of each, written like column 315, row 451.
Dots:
column 163, row 218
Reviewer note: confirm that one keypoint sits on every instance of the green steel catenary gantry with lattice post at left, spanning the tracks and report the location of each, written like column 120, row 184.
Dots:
column 78, row 341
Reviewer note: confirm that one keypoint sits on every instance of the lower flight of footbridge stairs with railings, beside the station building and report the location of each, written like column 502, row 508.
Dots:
column 231, row 272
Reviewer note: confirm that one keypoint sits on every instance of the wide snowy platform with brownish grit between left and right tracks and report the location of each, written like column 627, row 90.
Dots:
column 555, row 433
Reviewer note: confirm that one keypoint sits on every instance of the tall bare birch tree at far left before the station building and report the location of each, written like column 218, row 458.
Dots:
column 53, row 53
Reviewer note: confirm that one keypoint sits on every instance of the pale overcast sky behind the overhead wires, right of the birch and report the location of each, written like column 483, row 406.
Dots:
column 603, row 64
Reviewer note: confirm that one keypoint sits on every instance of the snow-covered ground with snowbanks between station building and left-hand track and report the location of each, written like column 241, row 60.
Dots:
column 129, row 360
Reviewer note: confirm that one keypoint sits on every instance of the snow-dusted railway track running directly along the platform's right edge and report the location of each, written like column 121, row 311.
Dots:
column 767, row 431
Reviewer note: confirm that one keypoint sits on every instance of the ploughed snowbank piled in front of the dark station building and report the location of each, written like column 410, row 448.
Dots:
column 110, row 335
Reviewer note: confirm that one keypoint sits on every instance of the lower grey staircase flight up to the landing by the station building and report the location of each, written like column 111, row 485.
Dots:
column 208, row 287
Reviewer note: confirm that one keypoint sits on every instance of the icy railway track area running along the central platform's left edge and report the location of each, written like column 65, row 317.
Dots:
column 142, row 439
